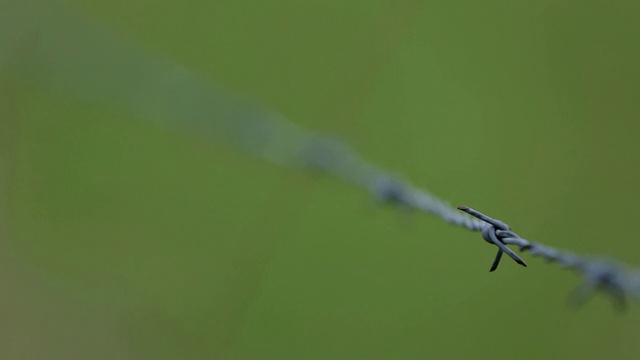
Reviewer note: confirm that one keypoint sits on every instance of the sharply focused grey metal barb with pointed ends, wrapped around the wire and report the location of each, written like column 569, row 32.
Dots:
column 495, row 232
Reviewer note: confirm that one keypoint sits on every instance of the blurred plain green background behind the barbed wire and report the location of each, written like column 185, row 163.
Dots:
column 125, row 240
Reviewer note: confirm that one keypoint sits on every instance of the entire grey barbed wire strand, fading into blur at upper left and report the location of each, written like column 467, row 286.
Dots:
column 96, row 66
